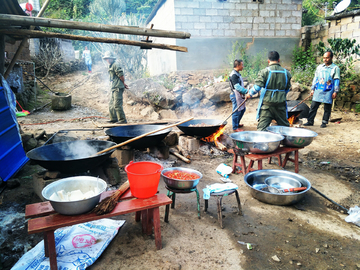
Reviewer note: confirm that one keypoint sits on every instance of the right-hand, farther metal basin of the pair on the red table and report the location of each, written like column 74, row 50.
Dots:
column 294, row 137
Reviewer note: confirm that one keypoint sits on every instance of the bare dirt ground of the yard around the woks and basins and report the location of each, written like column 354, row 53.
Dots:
column 309, row 235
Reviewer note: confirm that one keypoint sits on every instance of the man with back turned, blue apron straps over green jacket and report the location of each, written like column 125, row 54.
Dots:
column 273, row 83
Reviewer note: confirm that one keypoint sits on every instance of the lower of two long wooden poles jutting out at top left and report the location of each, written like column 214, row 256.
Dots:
column 34, row 33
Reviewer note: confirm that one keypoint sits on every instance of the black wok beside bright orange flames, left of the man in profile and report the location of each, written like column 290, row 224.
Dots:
column 212, row 126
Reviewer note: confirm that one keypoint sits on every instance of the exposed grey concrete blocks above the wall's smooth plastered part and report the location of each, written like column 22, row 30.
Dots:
column 234, row 18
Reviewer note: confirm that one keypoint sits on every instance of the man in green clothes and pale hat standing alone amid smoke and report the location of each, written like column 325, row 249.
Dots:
column 117, row 89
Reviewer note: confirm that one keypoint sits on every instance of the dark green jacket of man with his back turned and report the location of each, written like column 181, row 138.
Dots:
column 277, row 81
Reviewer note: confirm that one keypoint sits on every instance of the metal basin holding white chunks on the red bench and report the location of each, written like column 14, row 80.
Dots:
column 82, row 183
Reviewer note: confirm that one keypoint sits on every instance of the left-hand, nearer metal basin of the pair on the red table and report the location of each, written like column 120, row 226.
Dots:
column 258, row 142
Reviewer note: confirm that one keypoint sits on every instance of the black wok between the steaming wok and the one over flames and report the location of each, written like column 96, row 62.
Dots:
column 123, row 133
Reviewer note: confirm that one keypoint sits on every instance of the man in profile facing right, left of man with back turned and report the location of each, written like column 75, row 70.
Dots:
column 237, row 95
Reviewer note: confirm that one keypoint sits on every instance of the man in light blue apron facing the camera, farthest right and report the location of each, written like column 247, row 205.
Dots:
column 324, row 89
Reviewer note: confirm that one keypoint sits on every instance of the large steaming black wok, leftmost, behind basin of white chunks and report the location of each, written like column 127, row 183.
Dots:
column 71, row 157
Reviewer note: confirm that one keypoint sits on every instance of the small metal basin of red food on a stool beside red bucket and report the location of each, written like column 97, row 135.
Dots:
column 180, row 184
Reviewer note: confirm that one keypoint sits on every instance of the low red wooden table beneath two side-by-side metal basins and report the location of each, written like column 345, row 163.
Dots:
column 259, row 157
